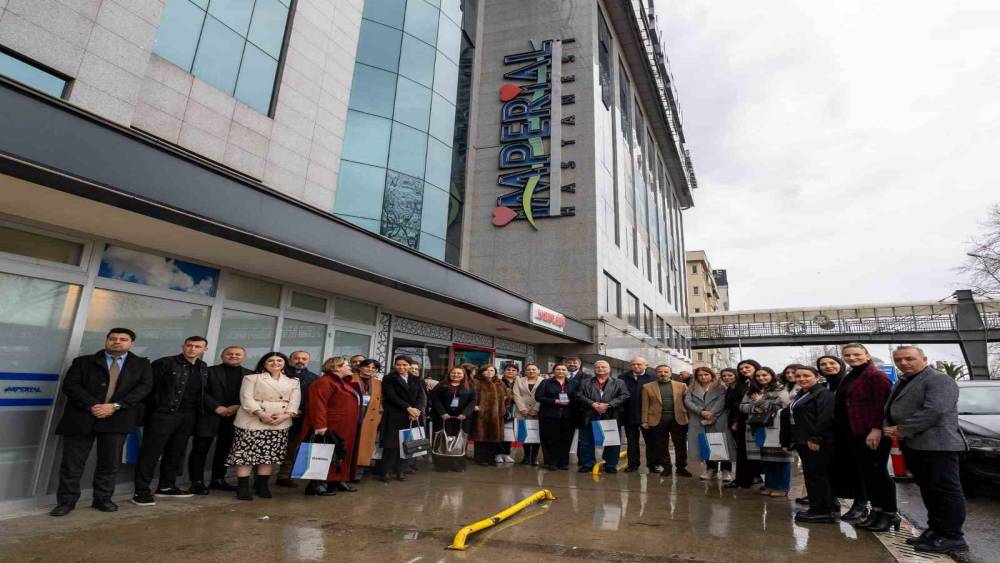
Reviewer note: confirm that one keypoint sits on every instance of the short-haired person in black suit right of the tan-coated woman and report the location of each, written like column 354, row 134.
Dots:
column 401, row 396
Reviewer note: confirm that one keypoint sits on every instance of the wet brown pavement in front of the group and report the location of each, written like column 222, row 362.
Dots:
column 623, row 517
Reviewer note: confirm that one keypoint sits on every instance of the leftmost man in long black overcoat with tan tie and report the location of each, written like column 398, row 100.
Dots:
column 104, row 394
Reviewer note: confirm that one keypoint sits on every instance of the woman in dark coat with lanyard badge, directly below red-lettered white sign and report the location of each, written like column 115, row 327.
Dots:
column 556, row 422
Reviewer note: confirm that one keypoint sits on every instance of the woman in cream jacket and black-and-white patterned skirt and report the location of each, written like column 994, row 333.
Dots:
column 269, row 399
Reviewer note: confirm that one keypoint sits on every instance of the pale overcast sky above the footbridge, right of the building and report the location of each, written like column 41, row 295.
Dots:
column 845, row 151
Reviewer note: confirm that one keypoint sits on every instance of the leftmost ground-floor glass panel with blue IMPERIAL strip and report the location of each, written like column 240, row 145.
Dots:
column 36, row 317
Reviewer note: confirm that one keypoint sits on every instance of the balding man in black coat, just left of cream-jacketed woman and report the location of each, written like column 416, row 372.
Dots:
column 215, row 421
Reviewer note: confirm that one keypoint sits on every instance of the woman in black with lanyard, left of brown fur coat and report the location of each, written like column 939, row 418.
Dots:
column 453, row 403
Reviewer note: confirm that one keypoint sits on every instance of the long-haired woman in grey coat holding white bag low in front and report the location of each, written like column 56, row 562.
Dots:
column 705, row 402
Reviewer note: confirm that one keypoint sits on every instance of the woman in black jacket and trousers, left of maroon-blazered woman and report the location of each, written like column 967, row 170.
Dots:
column 812, row 435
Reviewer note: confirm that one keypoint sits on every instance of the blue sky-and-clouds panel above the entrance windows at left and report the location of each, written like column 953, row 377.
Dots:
column 157, row 271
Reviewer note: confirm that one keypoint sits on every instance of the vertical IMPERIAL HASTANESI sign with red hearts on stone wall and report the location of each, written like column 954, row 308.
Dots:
column 530, row 136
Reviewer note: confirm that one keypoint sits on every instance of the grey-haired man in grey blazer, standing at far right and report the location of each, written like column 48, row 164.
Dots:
column 922, row 412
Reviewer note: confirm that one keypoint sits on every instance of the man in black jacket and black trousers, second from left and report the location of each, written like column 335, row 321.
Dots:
column 172, row 407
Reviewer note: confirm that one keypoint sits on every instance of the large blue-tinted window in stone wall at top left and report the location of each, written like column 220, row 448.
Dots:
column 234, row 45
